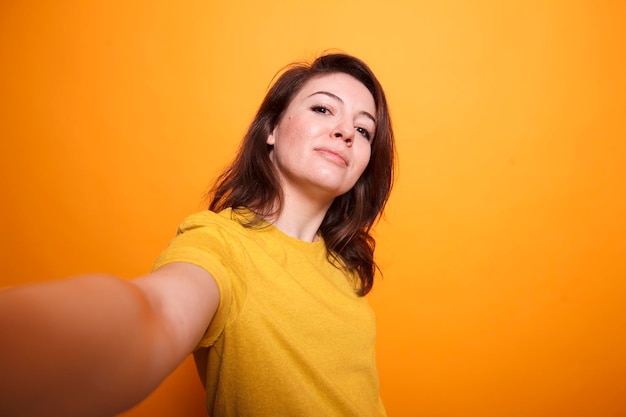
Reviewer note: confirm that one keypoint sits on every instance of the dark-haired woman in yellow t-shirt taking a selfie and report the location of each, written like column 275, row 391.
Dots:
column 265, row 288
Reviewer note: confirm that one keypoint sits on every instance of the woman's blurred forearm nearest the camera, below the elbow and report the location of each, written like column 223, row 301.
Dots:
column 85, row 347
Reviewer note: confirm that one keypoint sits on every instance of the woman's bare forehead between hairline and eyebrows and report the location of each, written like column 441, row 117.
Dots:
column 344, row 86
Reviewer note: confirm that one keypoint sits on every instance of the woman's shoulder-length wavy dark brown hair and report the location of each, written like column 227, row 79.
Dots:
column 250, row 181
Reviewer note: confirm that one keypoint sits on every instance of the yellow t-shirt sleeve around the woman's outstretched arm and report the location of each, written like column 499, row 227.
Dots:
column 202, row 241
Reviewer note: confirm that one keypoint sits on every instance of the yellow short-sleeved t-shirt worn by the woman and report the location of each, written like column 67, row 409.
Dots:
column 290, row 337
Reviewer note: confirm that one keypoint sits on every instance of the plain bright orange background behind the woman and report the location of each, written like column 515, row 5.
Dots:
column 504, row 246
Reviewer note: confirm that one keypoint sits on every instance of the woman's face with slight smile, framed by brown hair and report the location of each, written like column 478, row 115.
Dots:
column 321, row 145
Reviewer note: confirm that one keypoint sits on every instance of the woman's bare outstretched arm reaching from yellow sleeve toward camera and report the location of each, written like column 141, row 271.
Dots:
column 97, row 345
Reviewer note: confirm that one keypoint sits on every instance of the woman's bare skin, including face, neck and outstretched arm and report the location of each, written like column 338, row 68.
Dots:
column 97, row 345
